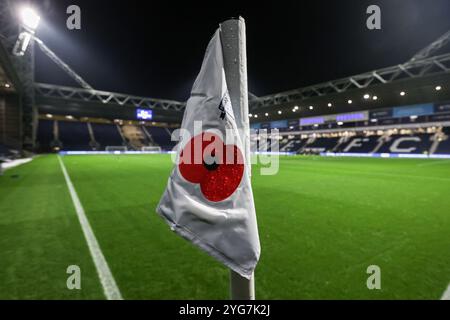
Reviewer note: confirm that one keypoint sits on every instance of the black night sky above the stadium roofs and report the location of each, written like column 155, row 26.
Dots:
column 155, row 48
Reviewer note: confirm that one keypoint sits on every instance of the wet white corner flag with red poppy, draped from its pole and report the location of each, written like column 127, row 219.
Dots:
column 209, row 198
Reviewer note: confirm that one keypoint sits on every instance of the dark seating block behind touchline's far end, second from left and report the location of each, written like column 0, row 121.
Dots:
column 74, row 136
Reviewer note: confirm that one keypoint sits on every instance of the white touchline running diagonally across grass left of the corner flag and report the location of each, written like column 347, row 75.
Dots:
column 110, row 288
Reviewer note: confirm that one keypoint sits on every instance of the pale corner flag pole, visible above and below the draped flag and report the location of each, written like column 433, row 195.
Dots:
column 235, row 65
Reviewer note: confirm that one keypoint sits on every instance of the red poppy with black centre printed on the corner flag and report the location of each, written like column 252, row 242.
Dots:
column 217, row 167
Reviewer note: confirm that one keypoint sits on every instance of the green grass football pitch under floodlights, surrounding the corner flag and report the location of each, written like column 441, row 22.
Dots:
column 322, row 222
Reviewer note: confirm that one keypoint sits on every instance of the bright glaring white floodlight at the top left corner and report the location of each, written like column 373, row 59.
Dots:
column 30, row 21
